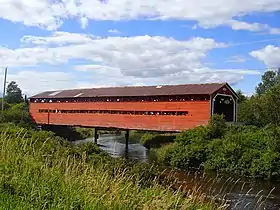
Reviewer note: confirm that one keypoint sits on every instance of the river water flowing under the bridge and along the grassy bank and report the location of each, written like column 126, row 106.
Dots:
column 239, row 193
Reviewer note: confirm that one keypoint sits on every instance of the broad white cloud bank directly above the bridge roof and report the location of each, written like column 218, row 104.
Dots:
column 114, row 61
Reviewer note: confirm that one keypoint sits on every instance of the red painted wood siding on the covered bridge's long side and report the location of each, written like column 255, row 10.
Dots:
column 199, row 114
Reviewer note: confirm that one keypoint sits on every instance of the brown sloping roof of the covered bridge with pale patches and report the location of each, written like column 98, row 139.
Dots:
column 188, row 89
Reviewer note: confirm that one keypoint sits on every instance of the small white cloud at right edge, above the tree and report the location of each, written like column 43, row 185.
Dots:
column 269, row 55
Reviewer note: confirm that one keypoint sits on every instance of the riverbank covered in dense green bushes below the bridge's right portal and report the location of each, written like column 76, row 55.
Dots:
column 246, row 151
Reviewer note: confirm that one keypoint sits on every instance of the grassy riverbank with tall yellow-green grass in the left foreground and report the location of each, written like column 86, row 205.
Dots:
column 41, row 170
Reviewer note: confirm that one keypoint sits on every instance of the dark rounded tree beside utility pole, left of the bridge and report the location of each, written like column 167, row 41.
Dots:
column 14, row 94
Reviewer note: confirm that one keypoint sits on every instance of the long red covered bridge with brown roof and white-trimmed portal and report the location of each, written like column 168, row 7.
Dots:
column 155, row 108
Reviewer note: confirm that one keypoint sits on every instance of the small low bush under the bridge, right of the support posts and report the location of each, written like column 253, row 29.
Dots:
column 150, row 140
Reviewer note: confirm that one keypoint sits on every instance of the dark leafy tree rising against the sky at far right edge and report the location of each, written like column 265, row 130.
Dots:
column 269, row 80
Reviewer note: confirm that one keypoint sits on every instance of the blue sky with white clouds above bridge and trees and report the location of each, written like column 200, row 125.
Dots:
column 62, row 44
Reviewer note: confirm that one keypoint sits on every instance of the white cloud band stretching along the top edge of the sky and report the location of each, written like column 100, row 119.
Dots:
column 51, row 14
